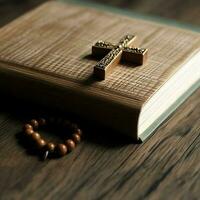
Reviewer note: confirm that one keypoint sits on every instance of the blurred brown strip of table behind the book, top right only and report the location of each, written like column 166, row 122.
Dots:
column 187, row 11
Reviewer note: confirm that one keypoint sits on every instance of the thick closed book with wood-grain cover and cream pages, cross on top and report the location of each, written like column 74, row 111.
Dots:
column 46, row 56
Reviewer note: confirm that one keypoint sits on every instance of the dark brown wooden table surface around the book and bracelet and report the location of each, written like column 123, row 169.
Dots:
column 105, row 167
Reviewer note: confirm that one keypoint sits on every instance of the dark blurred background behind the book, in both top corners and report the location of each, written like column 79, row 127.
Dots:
column 187, row 11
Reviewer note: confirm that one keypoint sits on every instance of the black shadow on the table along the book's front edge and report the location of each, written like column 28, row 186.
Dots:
column 23, row 112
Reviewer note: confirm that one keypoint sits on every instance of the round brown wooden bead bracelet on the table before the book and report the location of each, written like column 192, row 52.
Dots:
column 50, row 148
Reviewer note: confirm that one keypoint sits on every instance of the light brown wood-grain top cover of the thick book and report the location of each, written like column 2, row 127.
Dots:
column 37, row 43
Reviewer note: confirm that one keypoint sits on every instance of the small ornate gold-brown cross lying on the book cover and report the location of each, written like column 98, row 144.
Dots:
column 114, row 53
